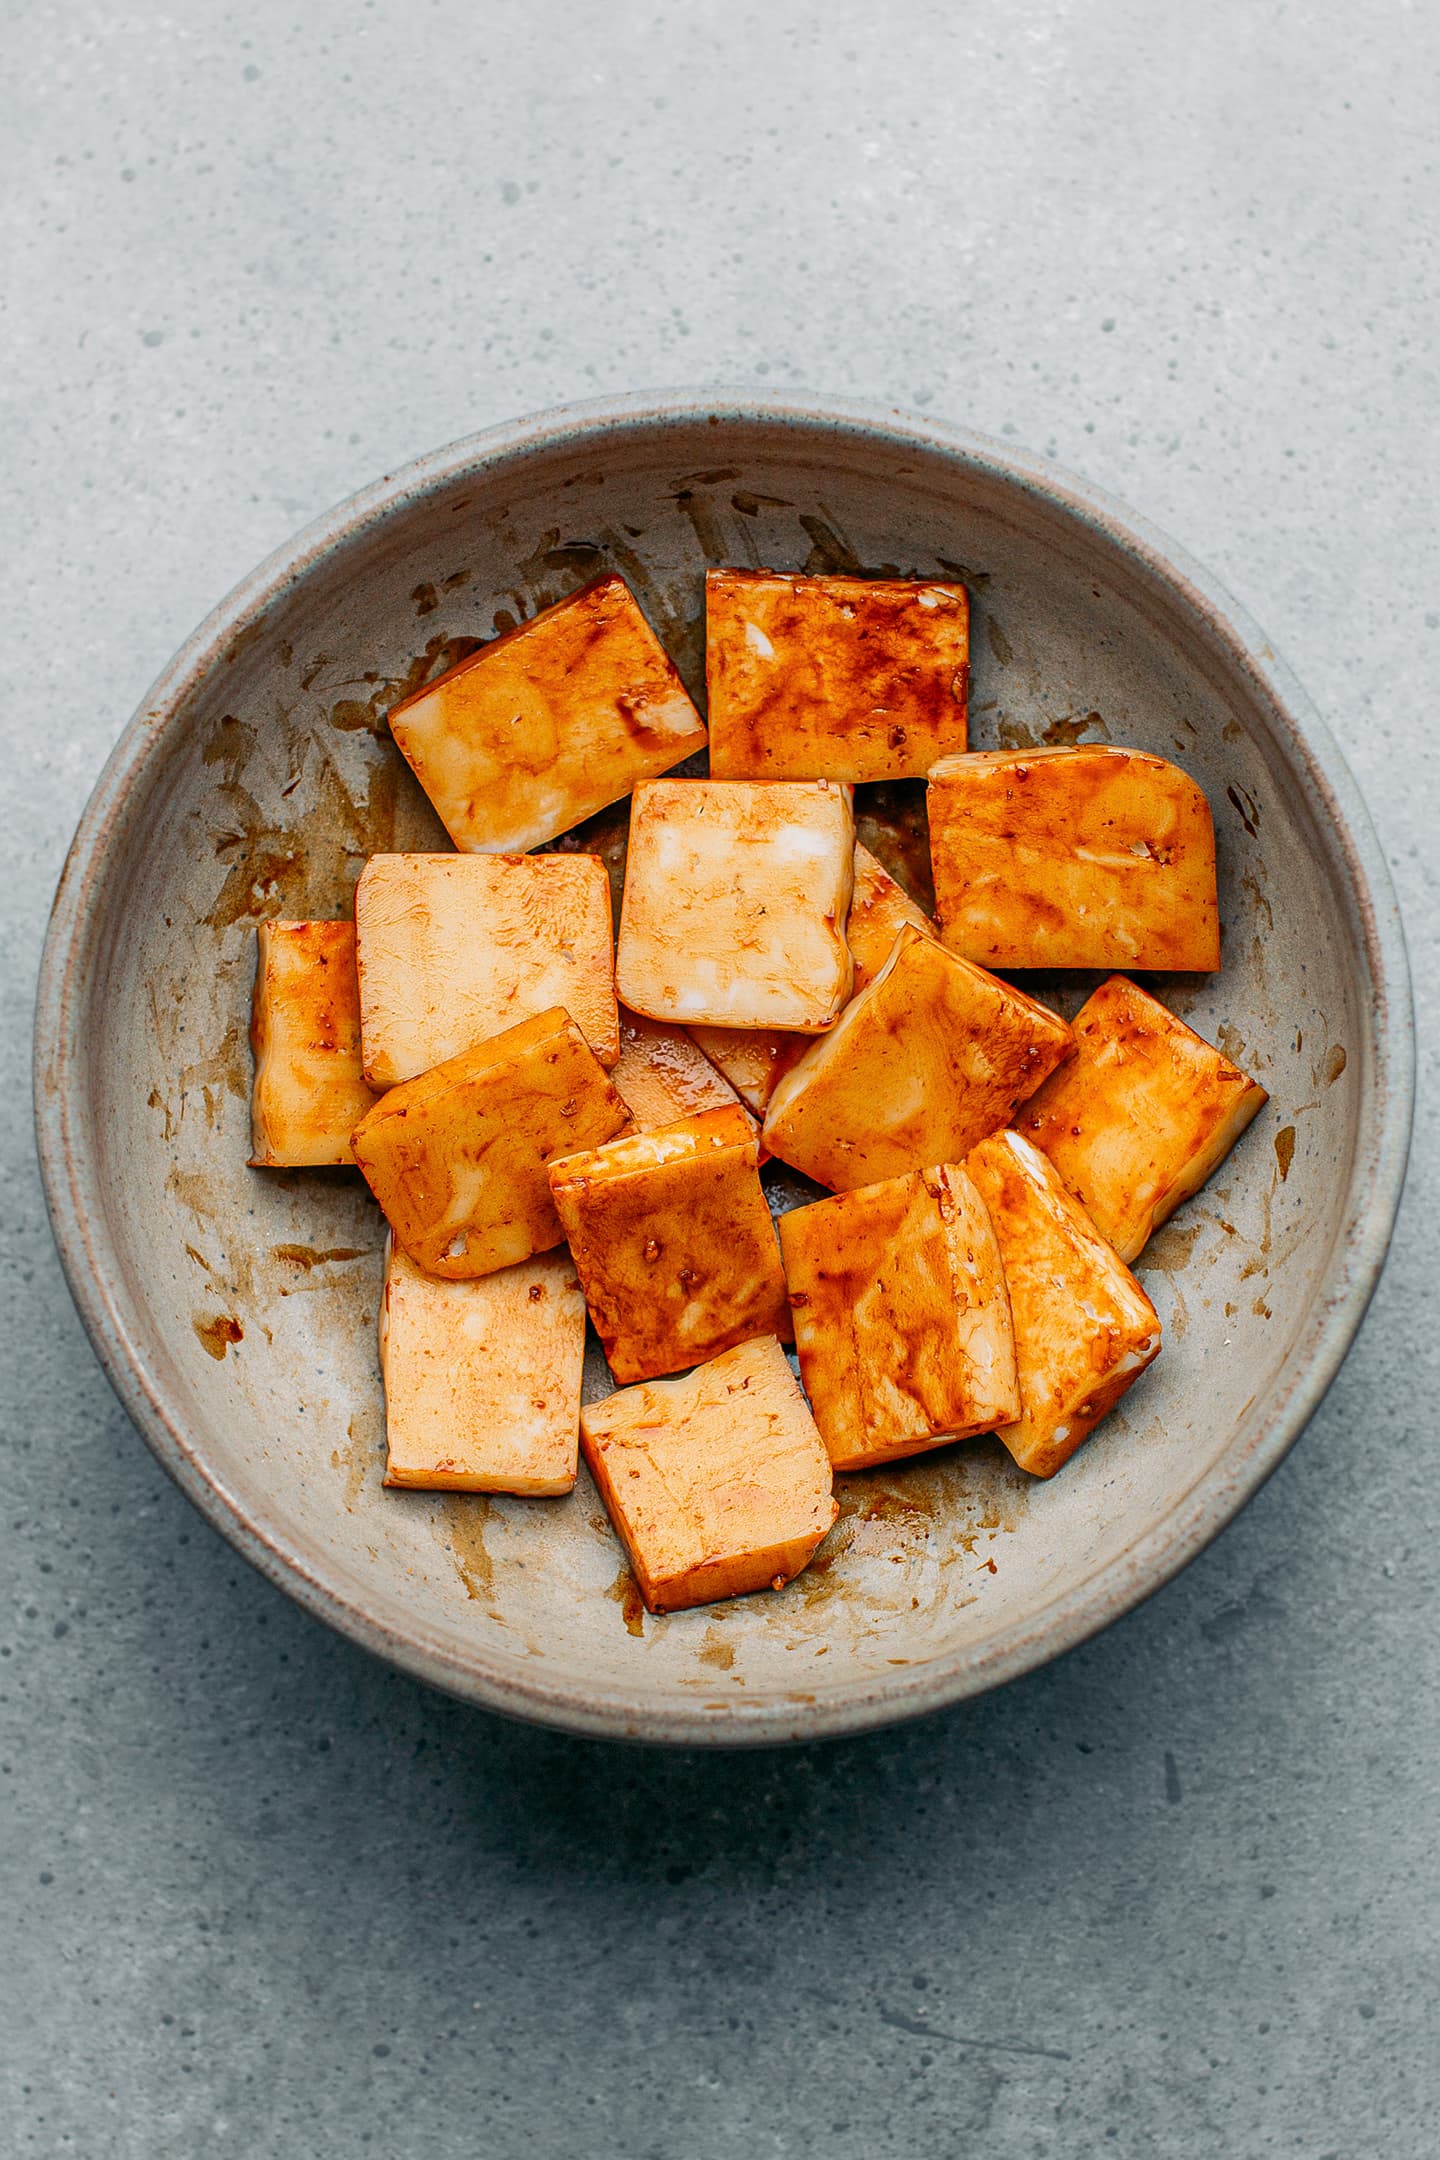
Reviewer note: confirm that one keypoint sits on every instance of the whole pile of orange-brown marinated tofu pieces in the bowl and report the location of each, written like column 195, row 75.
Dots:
column 560, row 1126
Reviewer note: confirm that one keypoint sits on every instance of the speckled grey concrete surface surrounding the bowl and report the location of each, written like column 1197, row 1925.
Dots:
column 1173, row 1898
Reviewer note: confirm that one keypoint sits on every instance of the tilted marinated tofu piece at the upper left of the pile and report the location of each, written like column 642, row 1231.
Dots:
column 549, row 723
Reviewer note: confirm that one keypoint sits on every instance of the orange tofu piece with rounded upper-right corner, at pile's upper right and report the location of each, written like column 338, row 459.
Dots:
column 1074, row 859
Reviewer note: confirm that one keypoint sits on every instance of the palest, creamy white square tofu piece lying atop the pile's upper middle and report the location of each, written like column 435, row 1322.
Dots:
column 735, row 904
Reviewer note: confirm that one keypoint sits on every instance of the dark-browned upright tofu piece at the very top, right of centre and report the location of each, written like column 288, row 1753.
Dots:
column 834, row 677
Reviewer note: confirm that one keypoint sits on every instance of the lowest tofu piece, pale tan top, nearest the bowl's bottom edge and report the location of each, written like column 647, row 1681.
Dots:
column 718, row 1483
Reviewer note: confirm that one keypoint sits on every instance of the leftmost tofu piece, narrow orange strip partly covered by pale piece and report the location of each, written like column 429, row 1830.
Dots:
column 305, row 1034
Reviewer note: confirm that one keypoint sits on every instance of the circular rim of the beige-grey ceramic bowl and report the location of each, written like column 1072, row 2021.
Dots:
column 90, row 1260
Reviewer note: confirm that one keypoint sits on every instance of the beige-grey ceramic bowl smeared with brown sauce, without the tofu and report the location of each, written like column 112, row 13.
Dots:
column 234, row 1310
